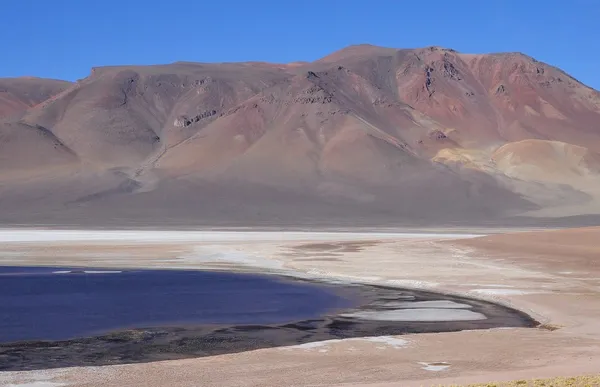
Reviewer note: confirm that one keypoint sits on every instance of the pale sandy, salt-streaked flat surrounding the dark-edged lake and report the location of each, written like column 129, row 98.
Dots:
column 554, row 276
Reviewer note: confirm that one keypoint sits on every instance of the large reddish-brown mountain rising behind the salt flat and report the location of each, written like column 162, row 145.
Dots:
column 367, row 134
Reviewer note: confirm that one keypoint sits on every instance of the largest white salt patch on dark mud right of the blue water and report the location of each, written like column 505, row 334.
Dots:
column 422, row 315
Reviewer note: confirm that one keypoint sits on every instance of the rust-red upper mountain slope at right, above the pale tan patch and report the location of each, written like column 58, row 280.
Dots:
column 487, row 99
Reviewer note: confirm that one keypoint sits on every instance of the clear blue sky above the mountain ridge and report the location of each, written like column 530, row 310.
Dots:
column 65, row 38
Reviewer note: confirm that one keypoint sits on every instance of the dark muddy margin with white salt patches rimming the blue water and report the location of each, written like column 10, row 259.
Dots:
column 172, row 342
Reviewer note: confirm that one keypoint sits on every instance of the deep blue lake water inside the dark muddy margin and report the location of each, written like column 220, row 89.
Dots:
column 38, row 304
